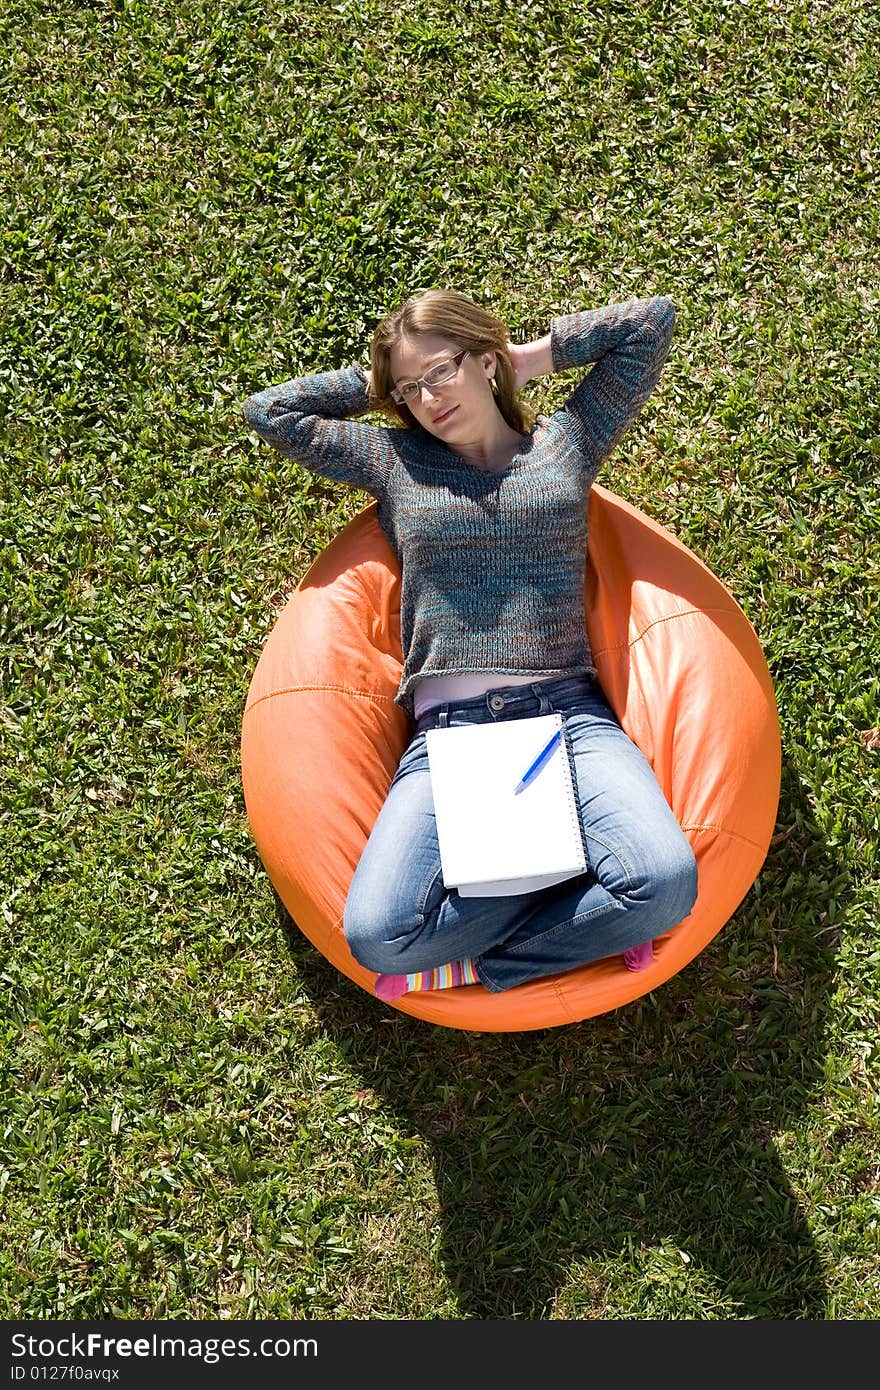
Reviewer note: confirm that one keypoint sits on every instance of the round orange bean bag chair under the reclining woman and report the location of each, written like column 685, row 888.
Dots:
column 679, row 662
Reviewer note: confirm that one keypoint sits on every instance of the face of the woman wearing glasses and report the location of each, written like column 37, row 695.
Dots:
column 461, row 408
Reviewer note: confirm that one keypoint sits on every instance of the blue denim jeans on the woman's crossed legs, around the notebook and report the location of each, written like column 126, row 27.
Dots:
column 643, row 876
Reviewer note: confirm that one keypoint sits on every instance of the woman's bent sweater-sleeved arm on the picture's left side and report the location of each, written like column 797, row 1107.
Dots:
column 309, row 419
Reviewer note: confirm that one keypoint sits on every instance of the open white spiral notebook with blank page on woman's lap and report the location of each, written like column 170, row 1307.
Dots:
column 493, row 840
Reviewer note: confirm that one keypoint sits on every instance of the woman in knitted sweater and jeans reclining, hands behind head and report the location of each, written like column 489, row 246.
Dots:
column 486, row 508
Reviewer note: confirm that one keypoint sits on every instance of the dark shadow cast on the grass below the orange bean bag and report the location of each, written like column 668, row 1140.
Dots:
column 630, row 1159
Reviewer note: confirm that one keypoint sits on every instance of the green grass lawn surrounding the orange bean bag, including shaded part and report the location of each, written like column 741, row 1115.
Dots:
column 202, row 1118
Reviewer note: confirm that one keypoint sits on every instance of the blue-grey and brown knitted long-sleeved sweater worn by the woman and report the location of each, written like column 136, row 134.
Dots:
column 493, row 564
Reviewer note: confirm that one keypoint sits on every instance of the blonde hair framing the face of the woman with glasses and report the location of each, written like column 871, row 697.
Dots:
column 464, row 323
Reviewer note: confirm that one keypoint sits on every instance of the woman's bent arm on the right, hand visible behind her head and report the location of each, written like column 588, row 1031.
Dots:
column 628, row 343
